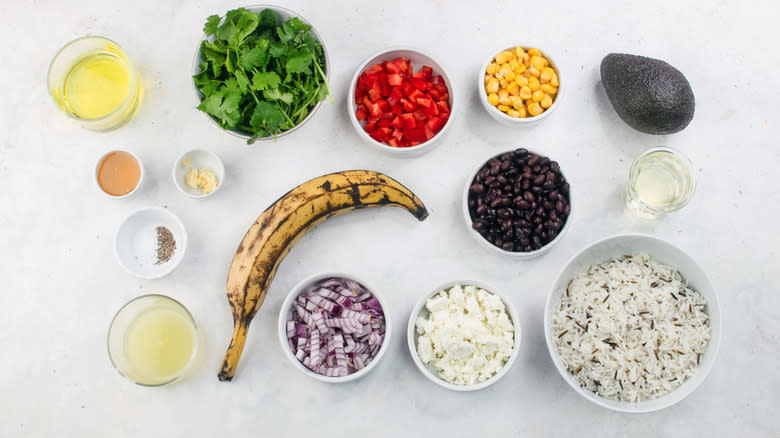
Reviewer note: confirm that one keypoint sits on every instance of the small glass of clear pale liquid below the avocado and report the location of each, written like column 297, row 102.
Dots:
column 661, row 180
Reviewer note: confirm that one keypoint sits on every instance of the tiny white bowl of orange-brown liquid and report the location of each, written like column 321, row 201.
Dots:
column 119, row 174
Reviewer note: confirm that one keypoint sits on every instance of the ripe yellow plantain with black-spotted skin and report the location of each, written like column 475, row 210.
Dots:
column 282, row 224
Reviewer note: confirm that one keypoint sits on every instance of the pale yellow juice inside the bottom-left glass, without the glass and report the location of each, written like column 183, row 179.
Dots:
column 159, row 344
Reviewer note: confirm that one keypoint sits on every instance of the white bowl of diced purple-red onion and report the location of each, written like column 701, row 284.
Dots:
column 344, row 317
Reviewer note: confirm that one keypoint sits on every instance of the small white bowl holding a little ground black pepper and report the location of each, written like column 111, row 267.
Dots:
column 136, row 242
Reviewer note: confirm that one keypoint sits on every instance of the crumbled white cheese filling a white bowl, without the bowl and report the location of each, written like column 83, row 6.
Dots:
column 467, row 336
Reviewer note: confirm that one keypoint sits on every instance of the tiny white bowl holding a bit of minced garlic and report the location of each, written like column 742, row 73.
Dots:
column 198, row 173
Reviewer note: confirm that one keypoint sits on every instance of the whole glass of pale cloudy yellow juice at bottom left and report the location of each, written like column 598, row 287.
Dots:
column 153, row 340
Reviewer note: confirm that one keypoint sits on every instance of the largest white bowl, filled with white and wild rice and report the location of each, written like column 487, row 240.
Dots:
column 632, row 323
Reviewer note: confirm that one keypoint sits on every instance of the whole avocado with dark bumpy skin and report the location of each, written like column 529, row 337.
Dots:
column 649, row 95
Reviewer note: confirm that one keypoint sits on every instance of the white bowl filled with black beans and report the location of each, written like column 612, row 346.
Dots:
column 517, row 203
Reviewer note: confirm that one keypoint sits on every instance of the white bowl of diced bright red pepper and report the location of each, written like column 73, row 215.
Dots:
column 400, row 101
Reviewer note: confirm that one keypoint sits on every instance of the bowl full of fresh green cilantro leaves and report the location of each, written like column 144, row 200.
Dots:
column 260, row 72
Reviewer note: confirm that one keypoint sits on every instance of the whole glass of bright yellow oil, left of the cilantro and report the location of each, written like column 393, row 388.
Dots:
column 92, row 80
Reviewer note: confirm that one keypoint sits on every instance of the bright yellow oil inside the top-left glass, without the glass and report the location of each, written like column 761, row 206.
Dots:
column 96, row 85
